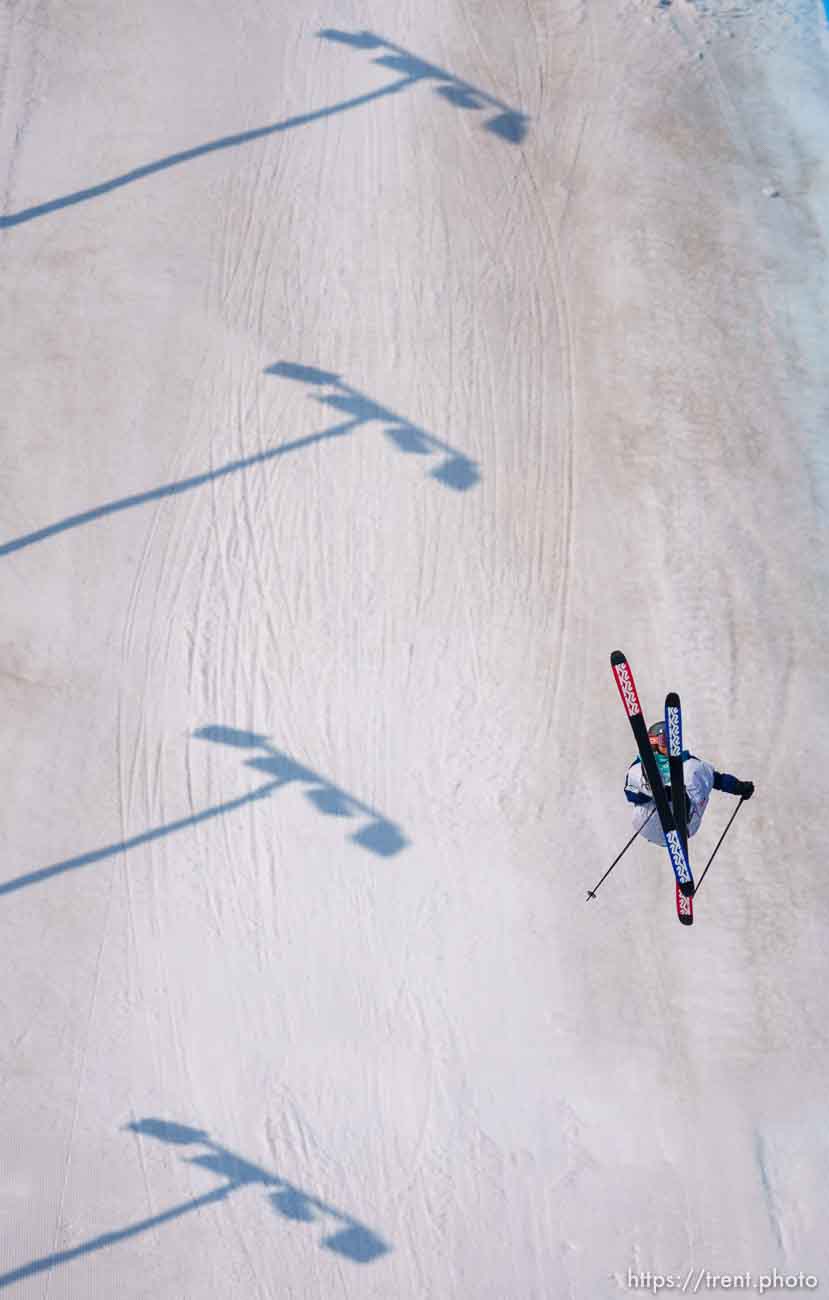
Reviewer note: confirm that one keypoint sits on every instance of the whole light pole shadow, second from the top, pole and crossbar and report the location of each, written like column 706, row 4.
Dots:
column 457, row 471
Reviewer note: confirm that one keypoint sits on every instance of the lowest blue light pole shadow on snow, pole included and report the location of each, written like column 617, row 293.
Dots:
column 348, row 1237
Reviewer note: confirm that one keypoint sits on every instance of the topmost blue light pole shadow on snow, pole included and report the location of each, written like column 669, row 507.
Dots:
column 509, row 124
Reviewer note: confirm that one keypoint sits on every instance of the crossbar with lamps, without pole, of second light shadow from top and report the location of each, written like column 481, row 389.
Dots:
column 455, row 471
